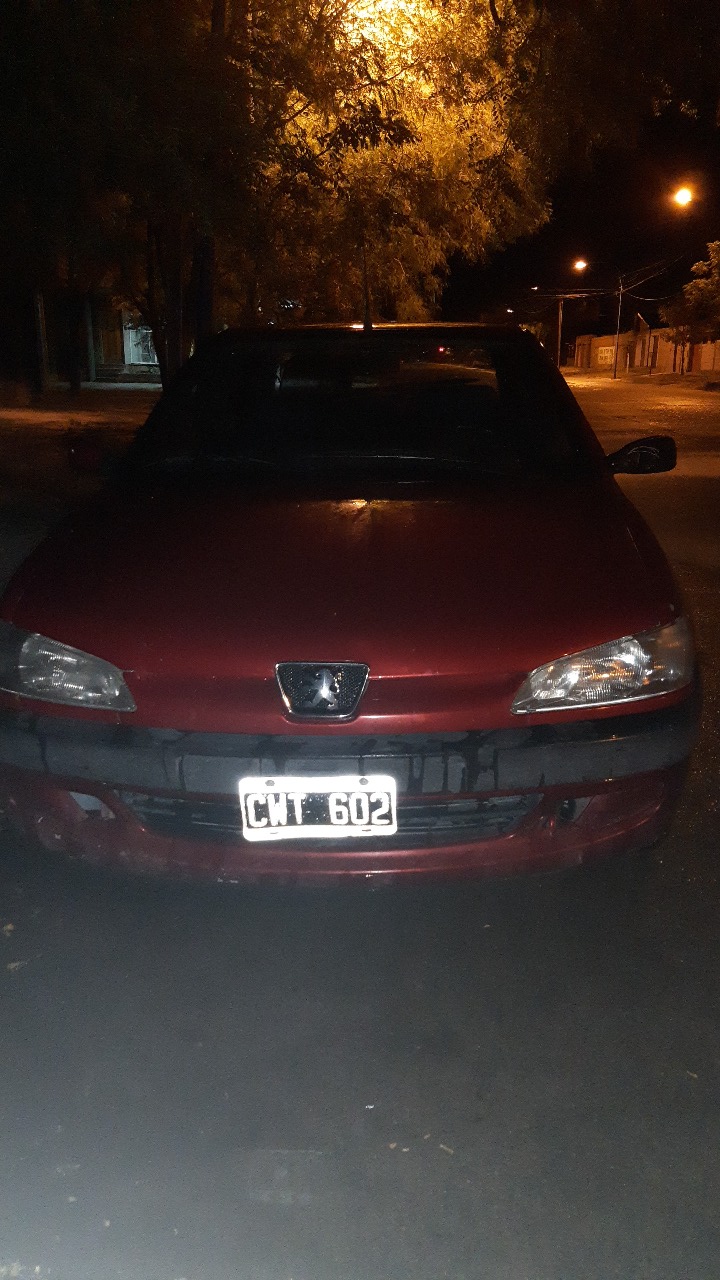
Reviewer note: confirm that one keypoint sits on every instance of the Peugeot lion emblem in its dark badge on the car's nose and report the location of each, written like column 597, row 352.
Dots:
column 322, row 691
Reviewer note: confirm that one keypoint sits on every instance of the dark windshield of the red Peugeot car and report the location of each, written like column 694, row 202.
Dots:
column 394, row 406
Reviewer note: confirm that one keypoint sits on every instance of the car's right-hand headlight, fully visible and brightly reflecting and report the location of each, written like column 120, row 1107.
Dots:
column 623, row 671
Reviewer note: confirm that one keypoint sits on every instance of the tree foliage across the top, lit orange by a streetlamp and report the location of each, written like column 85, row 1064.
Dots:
column 308, row 152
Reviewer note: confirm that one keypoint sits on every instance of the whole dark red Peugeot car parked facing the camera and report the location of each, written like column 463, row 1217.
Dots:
column 357, row 602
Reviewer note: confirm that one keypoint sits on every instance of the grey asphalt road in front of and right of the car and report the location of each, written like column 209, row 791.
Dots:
column 517, row 1081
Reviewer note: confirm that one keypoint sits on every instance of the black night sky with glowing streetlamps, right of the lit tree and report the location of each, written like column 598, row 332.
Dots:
column 617, row 214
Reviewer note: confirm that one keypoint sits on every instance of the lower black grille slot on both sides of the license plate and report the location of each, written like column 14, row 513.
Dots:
column 438, row 822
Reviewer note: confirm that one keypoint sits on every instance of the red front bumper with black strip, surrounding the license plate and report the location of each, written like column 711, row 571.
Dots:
column 482, row 801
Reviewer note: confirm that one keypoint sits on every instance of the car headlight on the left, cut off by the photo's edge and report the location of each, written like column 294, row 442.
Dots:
column 53, row 673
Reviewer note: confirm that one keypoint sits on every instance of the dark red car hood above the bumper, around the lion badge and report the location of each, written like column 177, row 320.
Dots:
column 450, row 601
